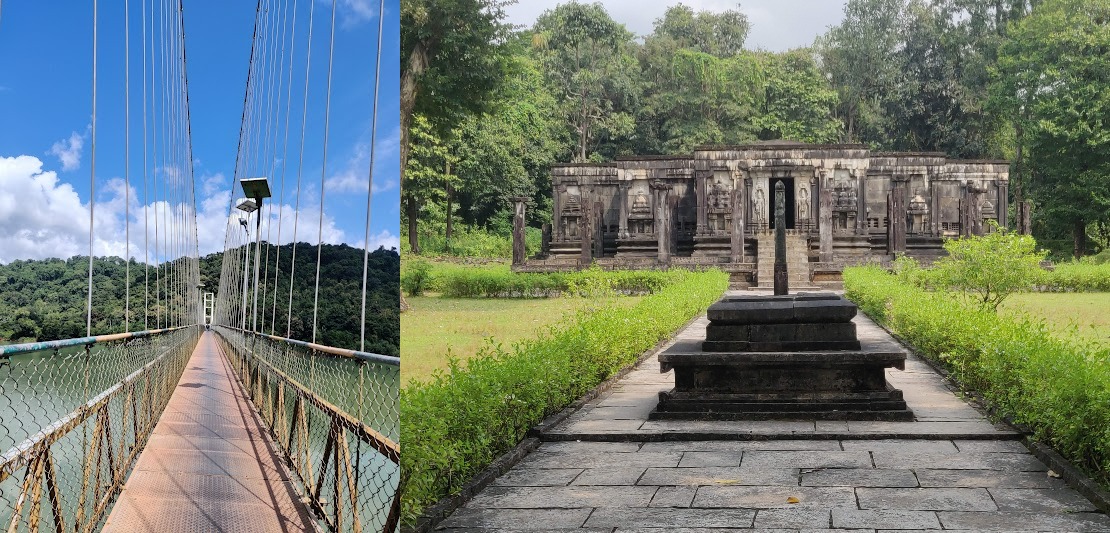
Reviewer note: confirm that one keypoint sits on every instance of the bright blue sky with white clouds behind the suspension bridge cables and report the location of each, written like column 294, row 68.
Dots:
column 46, row 76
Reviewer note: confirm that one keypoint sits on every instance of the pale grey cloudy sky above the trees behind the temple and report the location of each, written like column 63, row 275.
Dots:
column 776, row 25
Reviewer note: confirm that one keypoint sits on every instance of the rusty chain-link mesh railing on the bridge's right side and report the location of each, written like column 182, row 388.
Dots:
column 335, row 416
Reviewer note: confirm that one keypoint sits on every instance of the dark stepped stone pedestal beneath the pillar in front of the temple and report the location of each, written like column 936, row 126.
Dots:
column 782, row 358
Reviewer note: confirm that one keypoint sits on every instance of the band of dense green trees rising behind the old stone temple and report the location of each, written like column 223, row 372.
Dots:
column 973, row 79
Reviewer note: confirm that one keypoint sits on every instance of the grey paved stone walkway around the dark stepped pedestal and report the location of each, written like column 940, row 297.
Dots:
column 609, row 469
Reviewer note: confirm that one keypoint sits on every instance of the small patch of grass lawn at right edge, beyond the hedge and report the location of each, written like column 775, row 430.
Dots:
column 1086, row 314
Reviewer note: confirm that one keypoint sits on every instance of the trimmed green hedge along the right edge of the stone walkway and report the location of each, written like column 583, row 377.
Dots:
column 1061, row 388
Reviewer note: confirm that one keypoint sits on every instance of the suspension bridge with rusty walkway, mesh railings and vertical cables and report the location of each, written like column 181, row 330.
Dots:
column 200, row 411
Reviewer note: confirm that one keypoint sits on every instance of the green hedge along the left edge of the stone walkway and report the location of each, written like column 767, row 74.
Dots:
column 459, row 423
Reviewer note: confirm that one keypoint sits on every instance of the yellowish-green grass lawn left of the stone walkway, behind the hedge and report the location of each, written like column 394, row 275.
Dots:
column 435, row 326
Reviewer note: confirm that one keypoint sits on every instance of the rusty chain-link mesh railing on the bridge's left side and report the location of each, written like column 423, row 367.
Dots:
column 74, row 417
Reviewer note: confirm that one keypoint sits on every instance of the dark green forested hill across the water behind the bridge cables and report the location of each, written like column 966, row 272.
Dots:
column 46, row 299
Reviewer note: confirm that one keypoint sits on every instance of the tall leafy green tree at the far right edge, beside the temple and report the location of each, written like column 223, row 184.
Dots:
column 1052, row 79
